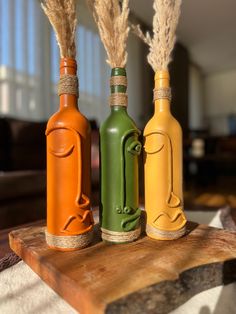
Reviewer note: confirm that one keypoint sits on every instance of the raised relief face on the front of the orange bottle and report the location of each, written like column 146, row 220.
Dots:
column 64, row 157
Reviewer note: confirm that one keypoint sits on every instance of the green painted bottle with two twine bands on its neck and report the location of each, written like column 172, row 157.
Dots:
column 120, row 149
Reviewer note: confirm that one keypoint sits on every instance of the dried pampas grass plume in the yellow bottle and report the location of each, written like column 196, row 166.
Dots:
column 165, row 21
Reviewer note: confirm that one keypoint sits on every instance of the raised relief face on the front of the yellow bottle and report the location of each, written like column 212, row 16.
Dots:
column 166, row 204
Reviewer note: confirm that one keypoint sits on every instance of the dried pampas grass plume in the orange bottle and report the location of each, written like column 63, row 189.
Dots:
column 62, row 16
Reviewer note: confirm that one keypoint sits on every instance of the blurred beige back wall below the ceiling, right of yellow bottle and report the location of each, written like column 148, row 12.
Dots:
column 212, row 98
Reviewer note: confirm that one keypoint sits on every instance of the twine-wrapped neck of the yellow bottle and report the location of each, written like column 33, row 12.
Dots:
column 162, row 86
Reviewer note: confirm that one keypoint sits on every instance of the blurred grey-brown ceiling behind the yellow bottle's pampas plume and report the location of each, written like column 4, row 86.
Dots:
column 206, row 27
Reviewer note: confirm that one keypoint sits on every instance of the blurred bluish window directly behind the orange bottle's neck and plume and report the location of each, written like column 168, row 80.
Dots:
column 92, row 70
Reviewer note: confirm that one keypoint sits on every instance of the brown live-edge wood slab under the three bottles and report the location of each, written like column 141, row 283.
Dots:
column 145, row 276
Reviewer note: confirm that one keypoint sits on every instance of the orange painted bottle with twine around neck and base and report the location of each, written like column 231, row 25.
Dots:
column 69, row 218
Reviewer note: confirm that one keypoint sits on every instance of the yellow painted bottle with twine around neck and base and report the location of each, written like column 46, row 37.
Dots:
column 163, row 167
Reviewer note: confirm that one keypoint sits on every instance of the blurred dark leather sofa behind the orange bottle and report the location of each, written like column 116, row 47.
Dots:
column 22, row 171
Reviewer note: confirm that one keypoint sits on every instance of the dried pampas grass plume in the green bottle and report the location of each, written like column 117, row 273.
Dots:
column 112, row 21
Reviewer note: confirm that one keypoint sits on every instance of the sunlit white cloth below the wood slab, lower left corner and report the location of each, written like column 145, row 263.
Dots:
column 23, row 292
